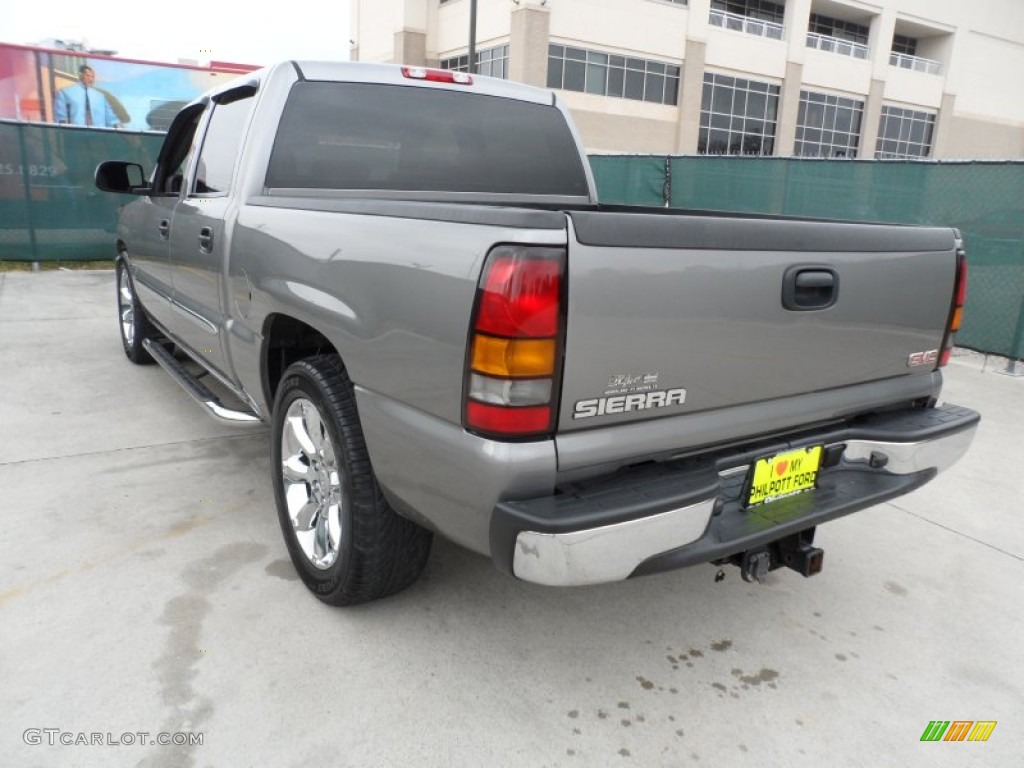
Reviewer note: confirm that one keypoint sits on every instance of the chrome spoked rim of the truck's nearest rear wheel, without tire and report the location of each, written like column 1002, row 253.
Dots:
column 312, row 484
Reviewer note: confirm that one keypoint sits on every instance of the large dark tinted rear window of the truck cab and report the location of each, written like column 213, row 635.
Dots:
column 403, row 139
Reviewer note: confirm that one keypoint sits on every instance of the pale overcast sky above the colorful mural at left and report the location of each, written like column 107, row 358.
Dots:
column 220, row 30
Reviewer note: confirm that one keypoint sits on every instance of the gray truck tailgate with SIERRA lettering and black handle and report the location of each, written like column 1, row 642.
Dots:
column 674, row 314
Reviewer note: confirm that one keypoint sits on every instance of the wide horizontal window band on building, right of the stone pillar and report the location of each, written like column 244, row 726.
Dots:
column 609, row 75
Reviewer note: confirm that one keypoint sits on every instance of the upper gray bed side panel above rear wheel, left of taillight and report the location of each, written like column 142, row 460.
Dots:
column 394, row 294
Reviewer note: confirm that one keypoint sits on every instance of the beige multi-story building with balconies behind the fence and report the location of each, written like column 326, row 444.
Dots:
column 816, row 78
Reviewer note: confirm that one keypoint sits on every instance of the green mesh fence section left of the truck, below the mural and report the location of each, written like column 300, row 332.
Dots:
column 50, row 208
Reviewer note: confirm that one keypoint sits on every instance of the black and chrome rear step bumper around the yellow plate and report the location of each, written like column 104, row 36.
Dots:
column 681, row 514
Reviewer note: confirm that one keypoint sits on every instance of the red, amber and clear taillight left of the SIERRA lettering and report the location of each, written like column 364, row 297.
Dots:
column 516, row 344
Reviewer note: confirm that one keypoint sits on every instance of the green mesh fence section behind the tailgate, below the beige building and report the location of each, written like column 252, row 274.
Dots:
column 985, row 200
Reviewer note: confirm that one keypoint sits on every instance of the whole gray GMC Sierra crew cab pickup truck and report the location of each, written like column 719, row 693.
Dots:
column 407, row 274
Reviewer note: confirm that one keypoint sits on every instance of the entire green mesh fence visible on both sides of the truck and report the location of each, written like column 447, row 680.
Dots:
column 51, row 210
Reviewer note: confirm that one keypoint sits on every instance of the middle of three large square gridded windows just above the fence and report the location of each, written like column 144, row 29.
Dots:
column 828, row 126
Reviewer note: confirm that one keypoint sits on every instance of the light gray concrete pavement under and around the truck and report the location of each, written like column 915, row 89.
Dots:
column 145, row 587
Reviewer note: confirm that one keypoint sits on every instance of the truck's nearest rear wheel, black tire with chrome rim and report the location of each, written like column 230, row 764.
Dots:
column 347, row 543
